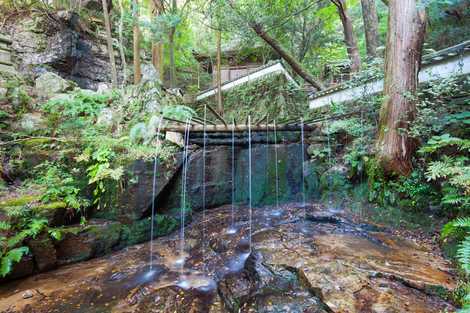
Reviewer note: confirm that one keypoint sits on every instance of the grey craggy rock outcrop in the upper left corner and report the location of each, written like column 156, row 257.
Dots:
column 63, row 46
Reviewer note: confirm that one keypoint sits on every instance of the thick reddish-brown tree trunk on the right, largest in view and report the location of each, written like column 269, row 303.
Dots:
column 406, row 30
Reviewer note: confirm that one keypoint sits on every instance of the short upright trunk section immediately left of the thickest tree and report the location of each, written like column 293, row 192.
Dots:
column 371, row 25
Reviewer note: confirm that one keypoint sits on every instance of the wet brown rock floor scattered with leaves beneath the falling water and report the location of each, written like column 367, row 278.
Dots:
column 323, row 263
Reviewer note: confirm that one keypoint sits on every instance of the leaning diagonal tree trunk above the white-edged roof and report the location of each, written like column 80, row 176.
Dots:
column 296, row 67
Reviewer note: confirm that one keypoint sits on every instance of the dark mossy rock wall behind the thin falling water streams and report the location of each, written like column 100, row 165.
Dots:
column 218, row 180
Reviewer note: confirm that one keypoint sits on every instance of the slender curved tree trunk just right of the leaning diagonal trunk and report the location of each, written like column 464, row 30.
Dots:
column 349, row 37
